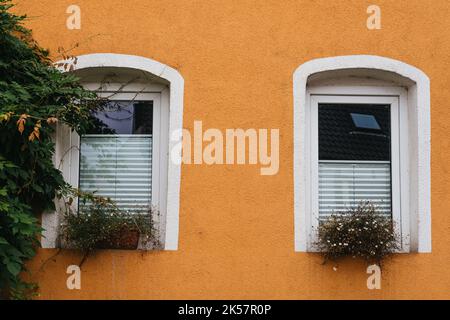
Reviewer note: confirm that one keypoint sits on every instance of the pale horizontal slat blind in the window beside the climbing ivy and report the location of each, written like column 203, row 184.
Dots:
column 118, row 167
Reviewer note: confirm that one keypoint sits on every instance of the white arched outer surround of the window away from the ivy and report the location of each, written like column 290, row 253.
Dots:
column 361, row 68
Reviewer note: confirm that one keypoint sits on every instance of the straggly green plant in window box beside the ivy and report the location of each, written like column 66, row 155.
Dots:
column 100, row 224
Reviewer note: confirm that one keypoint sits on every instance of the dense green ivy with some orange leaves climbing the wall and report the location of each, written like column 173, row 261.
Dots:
column 34, row 97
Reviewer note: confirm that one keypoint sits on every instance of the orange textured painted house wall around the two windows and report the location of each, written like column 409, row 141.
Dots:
column 237, row 58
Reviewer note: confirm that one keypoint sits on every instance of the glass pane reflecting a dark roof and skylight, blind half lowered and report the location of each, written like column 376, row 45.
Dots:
column 354, row 157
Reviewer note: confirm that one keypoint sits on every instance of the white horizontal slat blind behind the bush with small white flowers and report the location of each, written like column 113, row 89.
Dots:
column 344, row 185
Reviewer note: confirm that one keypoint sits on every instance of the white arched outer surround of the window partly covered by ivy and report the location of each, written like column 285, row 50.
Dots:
column 174, row 100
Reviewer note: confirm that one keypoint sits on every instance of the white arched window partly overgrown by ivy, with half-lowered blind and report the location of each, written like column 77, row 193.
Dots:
column 127, row 159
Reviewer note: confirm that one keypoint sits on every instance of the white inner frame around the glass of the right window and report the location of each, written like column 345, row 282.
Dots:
column 396, row 99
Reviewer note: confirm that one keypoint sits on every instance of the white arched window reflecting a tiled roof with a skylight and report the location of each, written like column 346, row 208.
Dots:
column 362, row 132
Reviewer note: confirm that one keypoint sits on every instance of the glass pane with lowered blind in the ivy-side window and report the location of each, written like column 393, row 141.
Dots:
column 116, row 155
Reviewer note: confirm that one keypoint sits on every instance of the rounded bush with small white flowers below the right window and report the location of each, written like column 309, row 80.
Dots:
column 361, row 232
